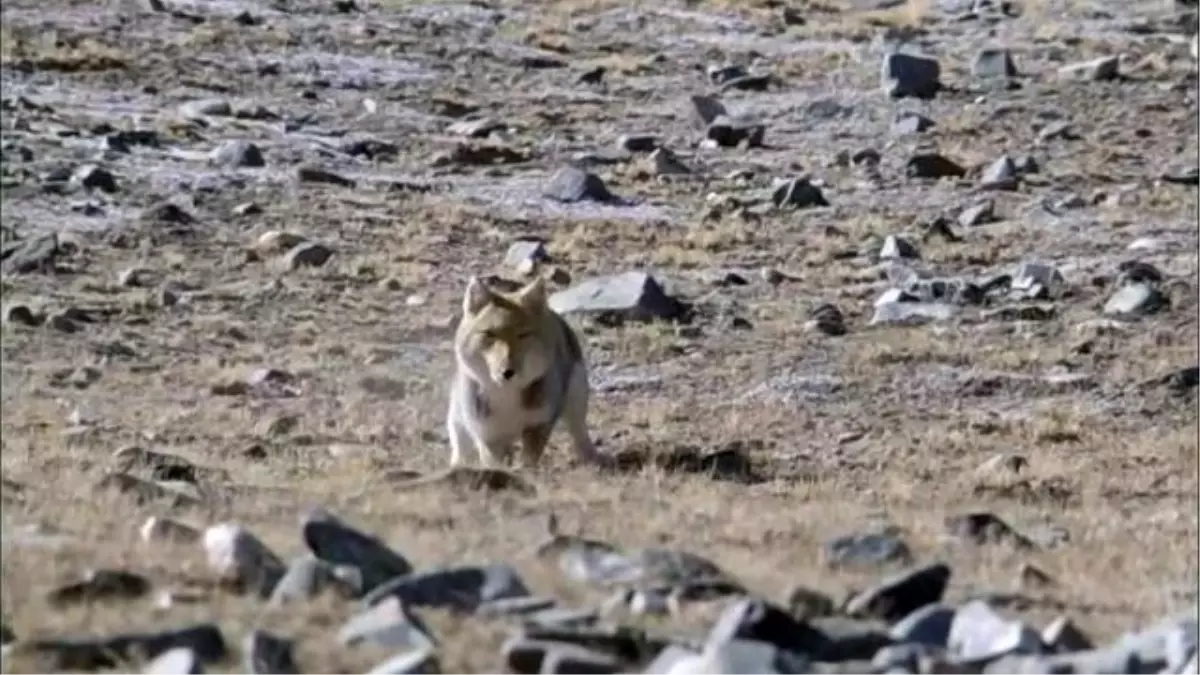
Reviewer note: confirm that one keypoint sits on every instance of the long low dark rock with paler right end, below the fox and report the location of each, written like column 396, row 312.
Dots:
column 461, row 589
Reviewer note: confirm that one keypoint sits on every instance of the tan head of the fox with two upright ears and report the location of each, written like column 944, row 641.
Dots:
column 502, row 337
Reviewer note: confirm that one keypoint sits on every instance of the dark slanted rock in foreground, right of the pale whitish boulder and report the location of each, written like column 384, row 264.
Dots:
column 338, row 543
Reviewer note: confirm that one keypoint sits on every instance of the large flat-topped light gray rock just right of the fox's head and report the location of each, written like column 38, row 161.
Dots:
column 634, row 296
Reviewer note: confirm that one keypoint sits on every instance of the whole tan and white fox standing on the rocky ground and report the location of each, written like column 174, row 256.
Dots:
column 520, row 368
